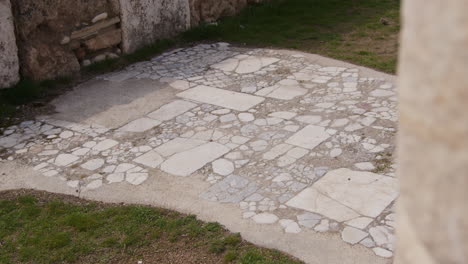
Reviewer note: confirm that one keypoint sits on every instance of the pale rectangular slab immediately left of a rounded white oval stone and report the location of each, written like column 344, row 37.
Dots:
column 186, row 163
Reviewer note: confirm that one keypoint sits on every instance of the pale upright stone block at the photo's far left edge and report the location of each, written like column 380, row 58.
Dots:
column 9, row 65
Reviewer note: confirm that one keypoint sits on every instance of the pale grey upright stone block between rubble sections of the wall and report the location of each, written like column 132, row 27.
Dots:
column 145, row 21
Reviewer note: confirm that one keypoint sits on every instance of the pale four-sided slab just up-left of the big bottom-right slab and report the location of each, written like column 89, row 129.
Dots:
column 309, row 137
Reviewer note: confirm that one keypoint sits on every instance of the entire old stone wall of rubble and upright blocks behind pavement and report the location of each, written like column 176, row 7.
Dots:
column 58, row 37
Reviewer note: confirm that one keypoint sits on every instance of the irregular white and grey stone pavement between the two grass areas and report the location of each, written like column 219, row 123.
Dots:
column 291, row 140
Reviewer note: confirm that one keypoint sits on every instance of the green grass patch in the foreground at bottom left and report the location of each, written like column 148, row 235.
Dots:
column 34, row 229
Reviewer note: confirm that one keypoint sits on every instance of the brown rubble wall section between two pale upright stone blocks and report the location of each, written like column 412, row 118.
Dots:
column 55, row 36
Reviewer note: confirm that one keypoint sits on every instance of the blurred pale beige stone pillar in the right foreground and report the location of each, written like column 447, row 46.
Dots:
column 433, row 134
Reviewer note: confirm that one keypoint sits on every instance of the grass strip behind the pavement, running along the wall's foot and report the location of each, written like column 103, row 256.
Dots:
column 346, row 30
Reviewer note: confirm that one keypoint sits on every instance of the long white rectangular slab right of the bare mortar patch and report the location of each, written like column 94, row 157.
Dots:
column 223, row 98
